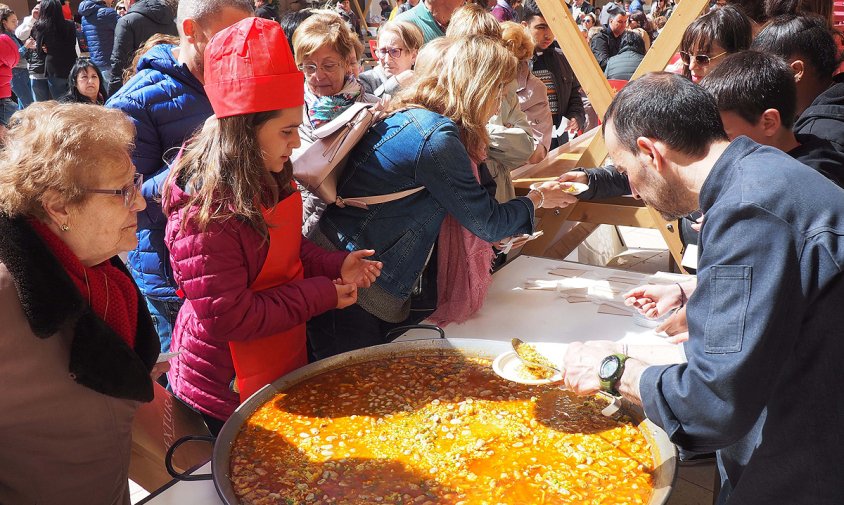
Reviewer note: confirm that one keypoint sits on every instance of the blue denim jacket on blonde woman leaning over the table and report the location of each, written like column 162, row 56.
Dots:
column 409, row 149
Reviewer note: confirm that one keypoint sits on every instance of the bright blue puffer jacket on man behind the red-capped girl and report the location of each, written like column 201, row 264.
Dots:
column 167, row 104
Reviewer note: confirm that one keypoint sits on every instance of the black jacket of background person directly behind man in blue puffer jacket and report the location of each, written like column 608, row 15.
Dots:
column 145, row 19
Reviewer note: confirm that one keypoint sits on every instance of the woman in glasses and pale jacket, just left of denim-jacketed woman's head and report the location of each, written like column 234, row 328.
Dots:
column 398, row 46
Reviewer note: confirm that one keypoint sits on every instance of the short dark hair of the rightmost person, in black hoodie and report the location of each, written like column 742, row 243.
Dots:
column 806, row 37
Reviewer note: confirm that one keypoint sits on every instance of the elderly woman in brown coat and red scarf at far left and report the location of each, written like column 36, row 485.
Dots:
column 77, row 343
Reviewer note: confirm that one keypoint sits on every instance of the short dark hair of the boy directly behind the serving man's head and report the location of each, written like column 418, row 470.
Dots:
column 750, row 82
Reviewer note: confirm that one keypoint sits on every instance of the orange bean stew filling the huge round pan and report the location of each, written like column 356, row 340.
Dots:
column 431, row 429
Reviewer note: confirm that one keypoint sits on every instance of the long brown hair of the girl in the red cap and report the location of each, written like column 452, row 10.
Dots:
column 223, row 169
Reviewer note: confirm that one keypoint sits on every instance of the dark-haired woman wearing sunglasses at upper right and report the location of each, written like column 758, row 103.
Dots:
column 711, row 37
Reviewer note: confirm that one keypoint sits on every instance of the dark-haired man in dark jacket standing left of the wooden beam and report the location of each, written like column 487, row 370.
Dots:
column 550, row 66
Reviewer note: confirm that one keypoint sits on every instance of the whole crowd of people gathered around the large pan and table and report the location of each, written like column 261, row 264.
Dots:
column 175, row 139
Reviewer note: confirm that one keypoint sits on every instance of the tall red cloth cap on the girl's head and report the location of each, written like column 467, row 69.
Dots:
column 249, row 68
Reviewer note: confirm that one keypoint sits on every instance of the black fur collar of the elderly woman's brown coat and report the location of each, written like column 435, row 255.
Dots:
column 99, row 358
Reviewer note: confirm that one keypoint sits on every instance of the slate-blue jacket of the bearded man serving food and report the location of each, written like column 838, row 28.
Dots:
column 766, row 351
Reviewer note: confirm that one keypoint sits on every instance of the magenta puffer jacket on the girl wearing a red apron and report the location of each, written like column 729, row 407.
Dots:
column 213, row 270
